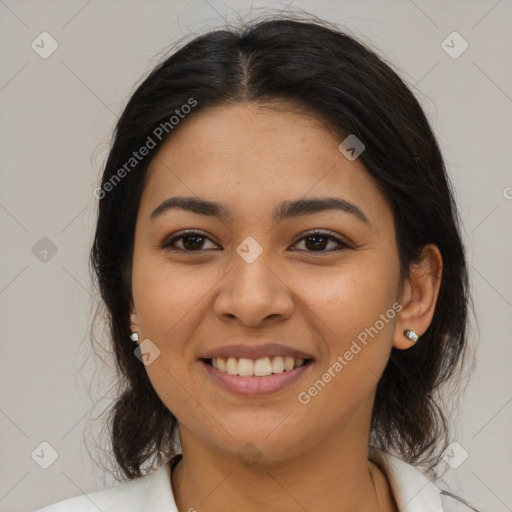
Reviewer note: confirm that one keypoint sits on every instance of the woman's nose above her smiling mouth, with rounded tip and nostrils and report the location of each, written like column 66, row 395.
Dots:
column 254, row 293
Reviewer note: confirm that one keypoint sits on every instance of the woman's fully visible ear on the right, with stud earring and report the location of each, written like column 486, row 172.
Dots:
column 419, row 296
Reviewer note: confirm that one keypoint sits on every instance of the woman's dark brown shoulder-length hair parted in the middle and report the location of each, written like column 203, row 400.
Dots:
column 311, row 64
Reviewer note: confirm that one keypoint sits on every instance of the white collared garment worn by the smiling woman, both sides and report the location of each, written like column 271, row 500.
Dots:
column 412, row 490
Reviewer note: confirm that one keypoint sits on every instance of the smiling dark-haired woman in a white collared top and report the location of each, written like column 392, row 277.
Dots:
column 278, row 249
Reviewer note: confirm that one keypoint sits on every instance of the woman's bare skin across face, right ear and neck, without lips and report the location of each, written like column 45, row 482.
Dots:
column 312, row 456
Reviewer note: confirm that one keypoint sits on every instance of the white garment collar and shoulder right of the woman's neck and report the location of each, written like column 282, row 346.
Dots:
column 413, row 490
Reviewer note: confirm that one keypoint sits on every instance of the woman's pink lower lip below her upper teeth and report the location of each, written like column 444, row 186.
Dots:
column 256, row 386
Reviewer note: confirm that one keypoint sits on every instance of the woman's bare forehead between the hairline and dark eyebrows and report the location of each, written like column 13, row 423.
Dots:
column 256, row 157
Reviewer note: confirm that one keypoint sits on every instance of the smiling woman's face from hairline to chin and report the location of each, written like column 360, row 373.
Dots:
column 257, row 275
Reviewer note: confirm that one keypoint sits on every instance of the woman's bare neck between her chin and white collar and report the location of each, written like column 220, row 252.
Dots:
column 332, row 476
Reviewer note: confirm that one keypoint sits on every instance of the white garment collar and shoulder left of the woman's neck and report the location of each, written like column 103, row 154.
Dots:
column 146, row 493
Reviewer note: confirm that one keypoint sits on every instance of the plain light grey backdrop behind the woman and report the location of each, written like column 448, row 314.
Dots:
column 57, row 115
